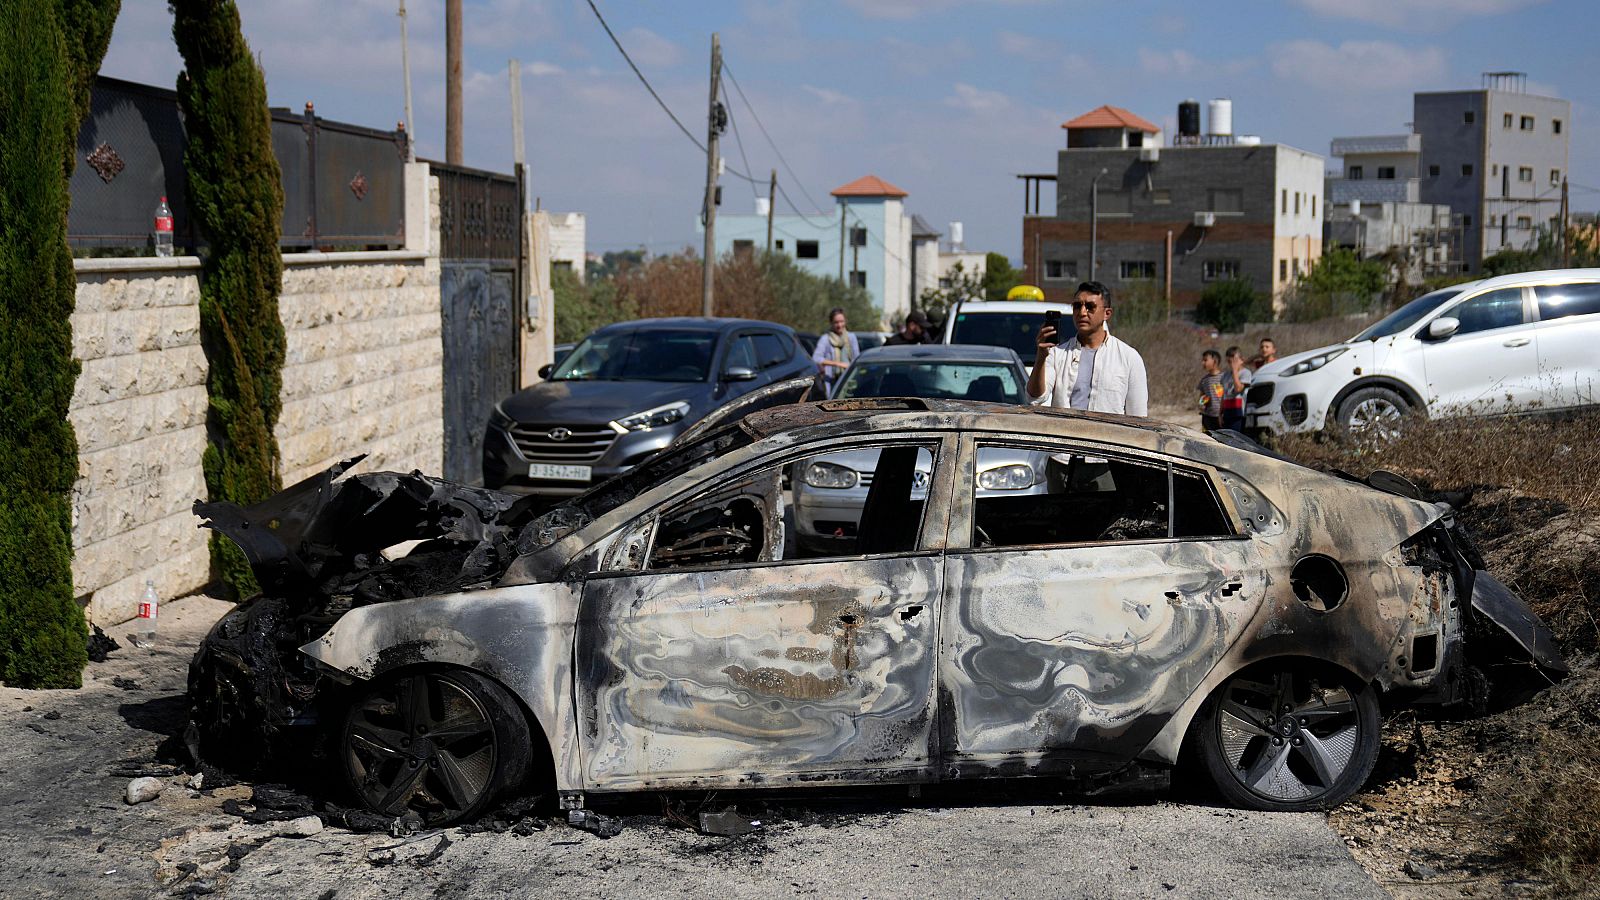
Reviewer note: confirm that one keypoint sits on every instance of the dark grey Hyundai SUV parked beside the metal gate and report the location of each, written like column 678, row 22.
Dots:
column 625, row 393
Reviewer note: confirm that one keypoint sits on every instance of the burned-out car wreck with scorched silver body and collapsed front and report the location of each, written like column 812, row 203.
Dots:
column 1146, row 593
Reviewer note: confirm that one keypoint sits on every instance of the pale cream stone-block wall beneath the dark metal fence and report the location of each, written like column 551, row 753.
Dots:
column 362, row 376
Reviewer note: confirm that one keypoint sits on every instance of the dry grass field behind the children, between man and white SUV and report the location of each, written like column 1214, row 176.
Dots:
column 1172, row 350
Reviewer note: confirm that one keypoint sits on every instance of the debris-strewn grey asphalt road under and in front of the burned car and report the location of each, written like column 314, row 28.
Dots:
column 66, row 832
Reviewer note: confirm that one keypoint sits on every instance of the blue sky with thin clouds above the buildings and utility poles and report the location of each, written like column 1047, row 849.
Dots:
column 946, row 98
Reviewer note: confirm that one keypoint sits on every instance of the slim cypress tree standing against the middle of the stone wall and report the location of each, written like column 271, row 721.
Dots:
column 238, row 206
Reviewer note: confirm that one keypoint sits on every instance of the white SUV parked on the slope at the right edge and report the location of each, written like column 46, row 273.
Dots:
column 1513, row 344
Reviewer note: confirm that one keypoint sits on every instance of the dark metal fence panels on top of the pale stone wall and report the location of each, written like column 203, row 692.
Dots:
column 343, row 185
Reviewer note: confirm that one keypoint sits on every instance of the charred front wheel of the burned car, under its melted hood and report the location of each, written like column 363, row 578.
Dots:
column 436, row 744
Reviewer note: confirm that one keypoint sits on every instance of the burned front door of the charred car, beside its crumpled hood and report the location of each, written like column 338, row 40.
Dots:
column 729, row 659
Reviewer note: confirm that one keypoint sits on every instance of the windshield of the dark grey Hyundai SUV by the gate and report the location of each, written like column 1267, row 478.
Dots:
column 639, row 355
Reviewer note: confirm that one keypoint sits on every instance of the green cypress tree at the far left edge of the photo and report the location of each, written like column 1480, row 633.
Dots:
column 49, row 55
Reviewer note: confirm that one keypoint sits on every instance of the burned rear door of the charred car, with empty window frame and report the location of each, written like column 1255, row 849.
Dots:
column 1078, row 619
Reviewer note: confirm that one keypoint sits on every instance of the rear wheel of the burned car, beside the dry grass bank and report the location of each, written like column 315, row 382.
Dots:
column 1289, row 737
